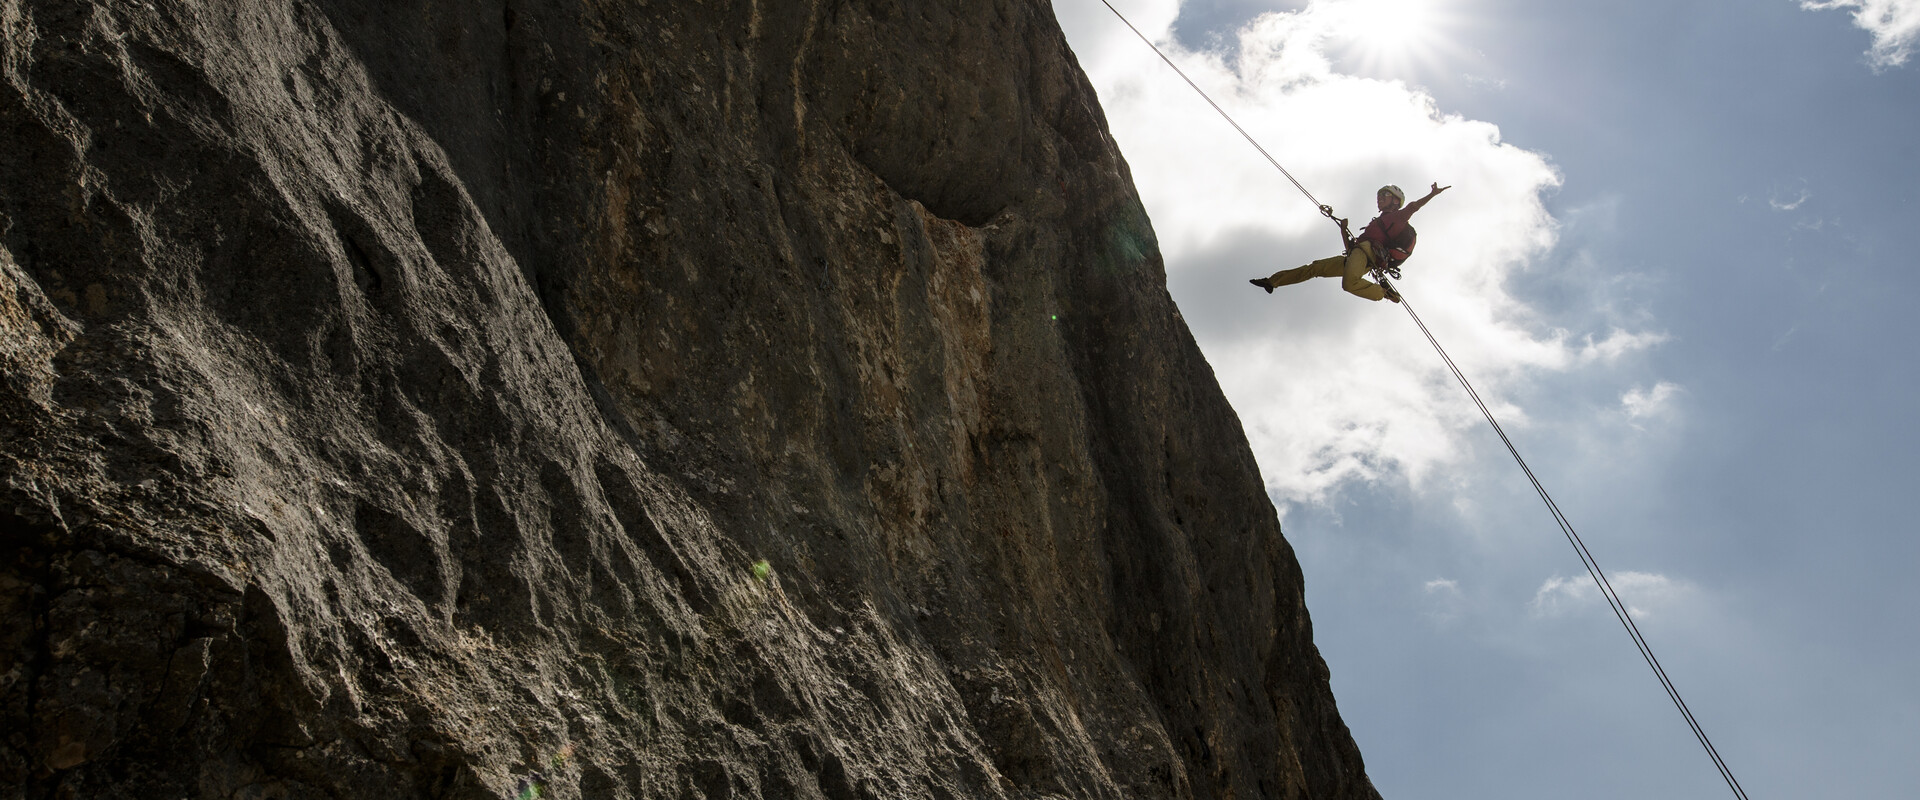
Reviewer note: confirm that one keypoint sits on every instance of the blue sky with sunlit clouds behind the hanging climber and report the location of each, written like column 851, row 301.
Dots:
column 1677, row 262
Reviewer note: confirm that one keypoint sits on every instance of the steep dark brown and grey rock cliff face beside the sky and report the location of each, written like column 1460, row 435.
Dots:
column 613, row 400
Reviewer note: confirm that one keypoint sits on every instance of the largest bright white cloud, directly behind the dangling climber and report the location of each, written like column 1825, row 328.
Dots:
column 1333, row 388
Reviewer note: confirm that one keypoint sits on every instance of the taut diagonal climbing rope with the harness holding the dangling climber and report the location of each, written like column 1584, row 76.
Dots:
column 1383, row 273
